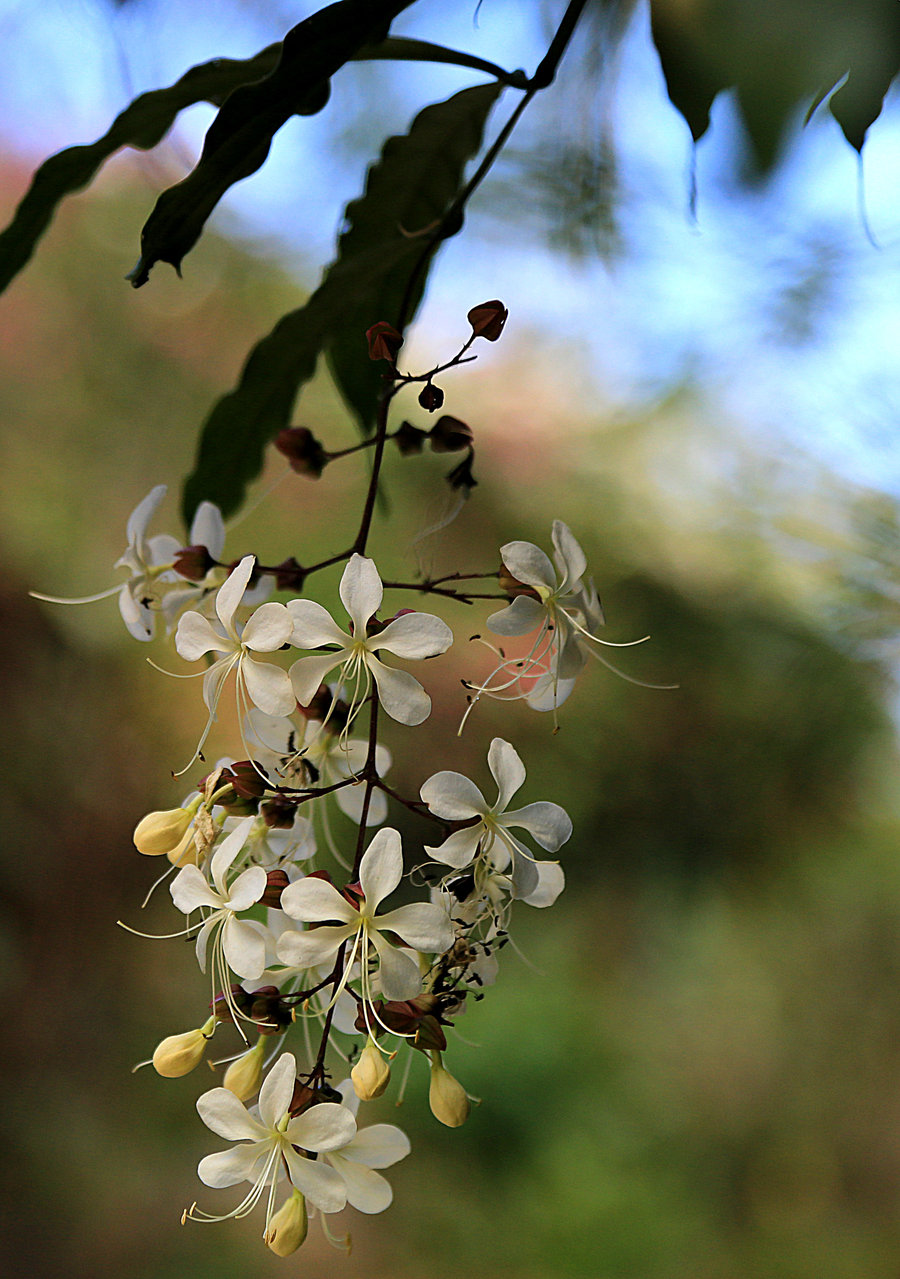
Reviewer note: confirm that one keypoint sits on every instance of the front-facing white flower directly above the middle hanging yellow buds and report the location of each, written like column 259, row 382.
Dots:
column 423, row 925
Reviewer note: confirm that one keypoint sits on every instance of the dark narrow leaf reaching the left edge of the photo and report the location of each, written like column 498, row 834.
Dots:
column 143, row 126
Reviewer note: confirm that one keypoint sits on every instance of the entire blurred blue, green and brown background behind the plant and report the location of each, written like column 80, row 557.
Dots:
column 692, row 1067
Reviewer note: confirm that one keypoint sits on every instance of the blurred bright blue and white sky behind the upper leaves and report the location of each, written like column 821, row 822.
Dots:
column 705, row 297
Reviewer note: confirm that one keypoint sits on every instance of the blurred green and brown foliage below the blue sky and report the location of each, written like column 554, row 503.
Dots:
column 691, row 1072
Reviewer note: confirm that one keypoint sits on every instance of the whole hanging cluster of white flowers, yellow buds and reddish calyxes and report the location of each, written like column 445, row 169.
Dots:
column 324, row 953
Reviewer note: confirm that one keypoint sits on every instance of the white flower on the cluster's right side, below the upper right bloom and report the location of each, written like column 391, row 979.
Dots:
column 489, row 841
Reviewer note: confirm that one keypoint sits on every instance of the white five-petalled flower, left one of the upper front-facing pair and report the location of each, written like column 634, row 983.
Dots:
column 267, row 631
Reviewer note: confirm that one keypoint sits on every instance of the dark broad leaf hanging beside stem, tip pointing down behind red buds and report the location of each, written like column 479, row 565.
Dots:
column 407, row 195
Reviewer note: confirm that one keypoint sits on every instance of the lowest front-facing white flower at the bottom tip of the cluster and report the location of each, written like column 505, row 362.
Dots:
column 269, row 1144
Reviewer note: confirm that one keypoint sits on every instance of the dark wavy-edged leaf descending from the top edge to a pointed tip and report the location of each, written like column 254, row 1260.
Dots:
column 240, row 139
